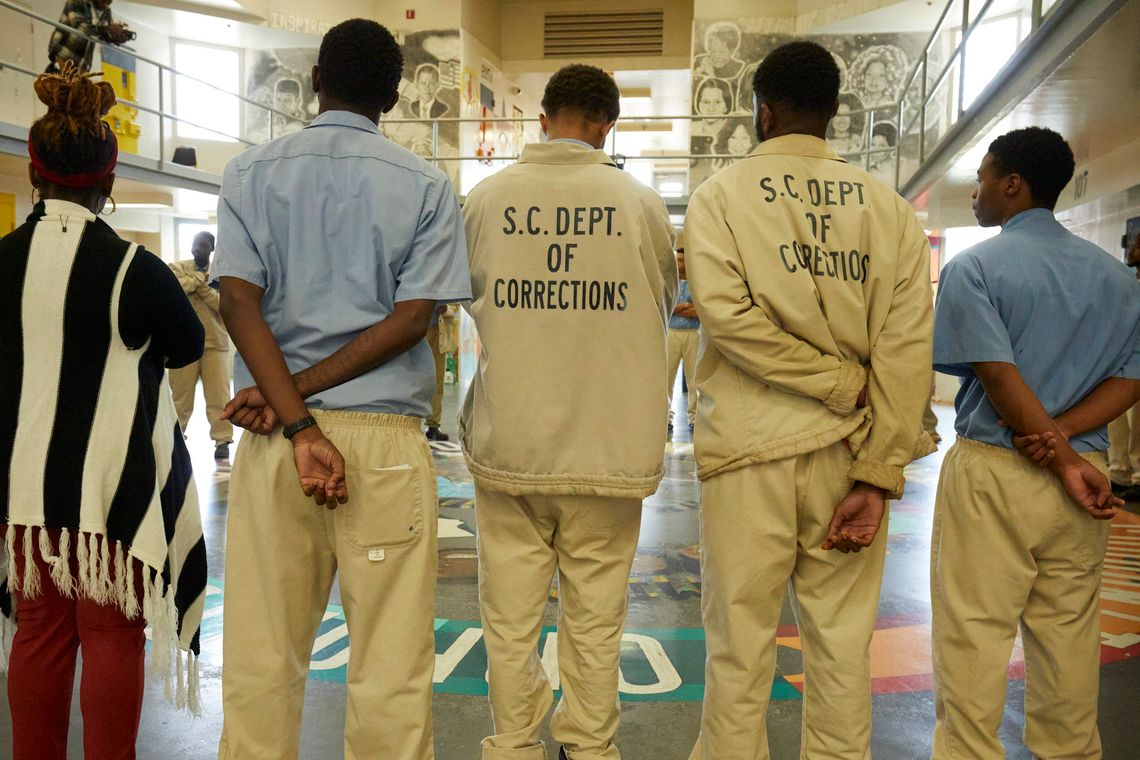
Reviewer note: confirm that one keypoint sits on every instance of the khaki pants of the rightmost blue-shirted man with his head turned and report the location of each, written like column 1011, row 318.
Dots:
column 1009, row 546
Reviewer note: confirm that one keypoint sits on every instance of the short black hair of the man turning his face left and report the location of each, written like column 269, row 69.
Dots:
column 1041, row 157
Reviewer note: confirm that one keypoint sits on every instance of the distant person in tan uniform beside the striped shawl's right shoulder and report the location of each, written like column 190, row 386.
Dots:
column 214, row 367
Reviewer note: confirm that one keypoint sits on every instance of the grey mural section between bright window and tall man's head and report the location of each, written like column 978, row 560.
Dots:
column 280, row 79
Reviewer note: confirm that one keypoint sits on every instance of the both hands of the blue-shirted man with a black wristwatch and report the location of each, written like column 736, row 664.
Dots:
column 320, row 464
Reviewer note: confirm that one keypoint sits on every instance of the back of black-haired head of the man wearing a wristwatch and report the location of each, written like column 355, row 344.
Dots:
column 361, row 64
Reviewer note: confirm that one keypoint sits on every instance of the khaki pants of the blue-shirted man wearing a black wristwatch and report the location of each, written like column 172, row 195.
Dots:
column 282, row 555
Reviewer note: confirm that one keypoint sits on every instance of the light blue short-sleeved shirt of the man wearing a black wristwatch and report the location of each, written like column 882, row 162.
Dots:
column 339, row 225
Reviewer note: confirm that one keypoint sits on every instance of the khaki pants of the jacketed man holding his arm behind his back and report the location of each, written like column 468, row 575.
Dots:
column 762, row 528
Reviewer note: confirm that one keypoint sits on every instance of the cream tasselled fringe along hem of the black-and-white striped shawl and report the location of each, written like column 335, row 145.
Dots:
column 107, row 582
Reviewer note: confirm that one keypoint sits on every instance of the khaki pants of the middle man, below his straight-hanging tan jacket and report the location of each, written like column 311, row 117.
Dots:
column 591, row 543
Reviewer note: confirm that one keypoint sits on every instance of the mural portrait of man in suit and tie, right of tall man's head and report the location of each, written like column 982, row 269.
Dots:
column 429, row 91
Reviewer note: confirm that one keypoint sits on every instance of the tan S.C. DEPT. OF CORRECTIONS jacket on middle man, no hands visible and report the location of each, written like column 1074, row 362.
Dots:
column 573, row 277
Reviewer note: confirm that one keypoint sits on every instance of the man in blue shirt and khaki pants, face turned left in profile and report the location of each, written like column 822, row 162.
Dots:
column 1044, row 329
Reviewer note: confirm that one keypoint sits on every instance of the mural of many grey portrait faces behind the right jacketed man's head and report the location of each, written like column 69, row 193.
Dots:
column 873, row 71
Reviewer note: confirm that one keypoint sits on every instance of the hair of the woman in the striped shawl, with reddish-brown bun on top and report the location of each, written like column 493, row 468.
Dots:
column 72, row 140
